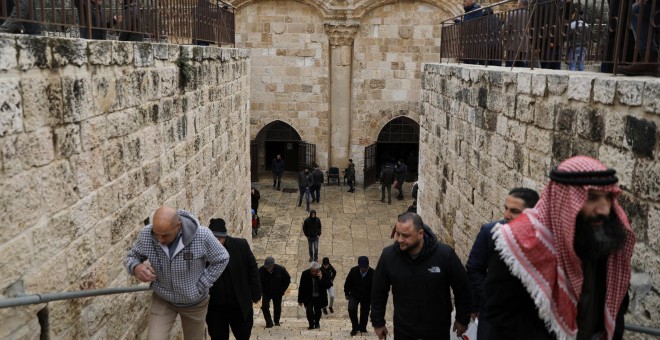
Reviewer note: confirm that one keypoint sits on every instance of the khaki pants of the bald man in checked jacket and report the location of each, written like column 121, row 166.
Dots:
column 163, row 314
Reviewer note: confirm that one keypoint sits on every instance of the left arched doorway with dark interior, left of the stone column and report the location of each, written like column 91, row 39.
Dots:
column 275, row 138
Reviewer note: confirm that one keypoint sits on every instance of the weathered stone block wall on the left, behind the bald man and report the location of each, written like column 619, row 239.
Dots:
column 94, row 136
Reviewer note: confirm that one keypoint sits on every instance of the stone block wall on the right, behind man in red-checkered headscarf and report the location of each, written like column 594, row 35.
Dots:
column 487, row 130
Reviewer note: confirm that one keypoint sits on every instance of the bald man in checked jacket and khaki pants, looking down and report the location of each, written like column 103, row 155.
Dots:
column 178, row 249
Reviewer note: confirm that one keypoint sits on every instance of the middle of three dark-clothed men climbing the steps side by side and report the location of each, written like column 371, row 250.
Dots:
column 313, row 294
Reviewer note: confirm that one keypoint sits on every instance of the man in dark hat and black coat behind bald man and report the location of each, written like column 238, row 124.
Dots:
column 237, row 288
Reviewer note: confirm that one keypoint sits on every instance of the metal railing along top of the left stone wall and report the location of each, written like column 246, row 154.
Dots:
column 173, row 21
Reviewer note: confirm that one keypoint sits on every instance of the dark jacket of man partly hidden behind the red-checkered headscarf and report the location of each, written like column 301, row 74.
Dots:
column 477, row 265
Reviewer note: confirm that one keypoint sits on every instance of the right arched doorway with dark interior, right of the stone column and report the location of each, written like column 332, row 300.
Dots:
column 398, row 139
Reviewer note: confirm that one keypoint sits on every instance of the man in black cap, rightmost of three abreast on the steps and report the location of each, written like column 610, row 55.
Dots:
column 357, row 289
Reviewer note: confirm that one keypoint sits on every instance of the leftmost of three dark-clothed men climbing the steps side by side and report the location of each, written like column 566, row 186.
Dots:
column 274, row 282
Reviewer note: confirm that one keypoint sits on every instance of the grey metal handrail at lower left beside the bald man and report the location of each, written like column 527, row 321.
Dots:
column 22, row 300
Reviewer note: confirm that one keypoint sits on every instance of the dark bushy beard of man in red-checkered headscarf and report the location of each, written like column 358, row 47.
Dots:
column 593, row 242
